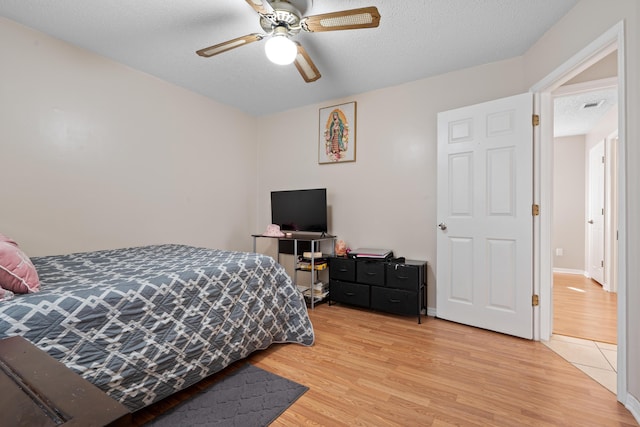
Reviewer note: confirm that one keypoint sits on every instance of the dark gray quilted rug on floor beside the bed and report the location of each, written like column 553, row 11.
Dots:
column 248, row 397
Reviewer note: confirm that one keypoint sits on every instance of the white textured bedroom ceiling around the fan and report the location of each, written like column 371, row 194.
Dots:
column 416, row 39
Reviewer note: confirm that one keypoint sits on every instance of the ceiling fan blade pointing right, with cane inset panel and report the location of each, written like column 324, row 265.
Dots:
column 365, row 17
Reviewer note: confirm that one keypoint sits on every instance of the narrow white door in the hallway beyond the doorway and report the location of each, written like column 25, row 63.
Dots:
column 595, row 221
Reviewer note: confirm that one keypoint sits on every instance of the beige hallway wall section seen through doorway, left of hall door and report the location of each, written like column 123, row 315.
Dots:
column 569, row 188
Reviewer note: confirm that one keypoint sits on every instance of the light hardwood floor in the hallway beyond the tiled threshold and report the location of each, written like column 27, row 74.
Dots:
column 583, row 309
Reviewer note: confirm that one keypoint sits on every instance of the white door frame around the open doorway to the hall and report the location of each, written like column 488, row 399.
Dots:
column 608, row 42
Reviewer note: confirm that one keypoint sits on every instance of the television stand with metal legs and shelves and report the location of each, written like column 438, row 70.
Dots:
column 313, row 264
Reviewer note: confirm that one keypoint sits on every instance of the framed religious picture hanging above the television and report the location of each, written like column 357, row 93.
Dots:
column 337, row 136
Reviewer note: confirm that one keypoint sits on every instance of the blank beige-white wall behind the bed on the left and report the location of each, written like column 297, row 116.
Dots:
column 96, row 155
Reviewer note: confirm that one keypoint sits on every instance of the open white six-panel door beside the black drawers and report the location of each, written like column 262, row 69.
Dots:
column 484, row 205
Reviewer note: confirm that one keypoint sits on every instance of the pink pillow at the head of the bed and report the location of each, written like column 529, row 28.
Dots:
column 17, row 273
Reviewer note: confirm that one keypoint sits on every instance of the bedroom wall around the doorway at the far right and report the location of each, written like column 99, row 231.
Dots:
column 583, row 24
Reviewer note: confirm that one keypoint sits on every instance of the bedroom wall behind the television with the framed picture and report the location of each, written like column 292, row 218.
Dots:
column 387, row 197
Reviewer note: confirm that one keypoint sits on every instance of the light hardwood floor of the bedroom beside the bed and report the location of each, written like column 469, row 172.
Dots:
column 373, row 369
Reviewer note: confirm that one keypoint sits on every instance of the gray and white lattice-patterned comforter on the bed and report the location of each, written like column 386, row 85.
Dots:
column 143, row 323
